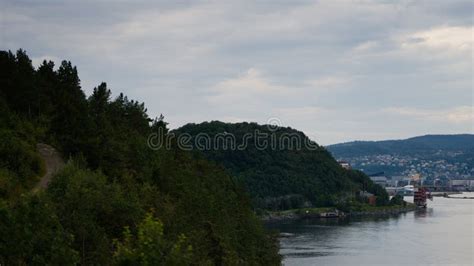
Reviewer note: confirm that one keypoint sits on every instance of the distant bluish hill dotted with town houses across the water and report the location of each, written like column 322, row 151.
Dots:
column 449, row 156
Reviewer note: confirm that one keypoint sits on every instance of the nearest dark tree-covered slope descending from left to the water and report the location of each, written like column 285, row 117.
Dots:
column 116, row 201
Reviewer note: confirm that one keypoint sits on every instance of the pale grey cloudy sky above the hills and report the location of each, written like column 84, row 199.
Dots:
column 337, row 70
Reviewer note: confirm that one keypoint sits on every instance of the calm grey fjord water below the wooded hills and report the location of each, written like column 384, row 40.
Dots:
column 442, row 234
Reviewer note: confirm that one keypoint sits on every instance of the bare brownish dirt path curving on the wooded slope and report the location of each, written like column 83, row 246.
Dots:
column 53, row 163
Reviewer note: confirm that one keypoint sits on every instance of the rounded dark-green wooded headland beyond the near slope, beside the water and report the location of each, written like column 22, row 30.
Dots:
column 293, row 173
